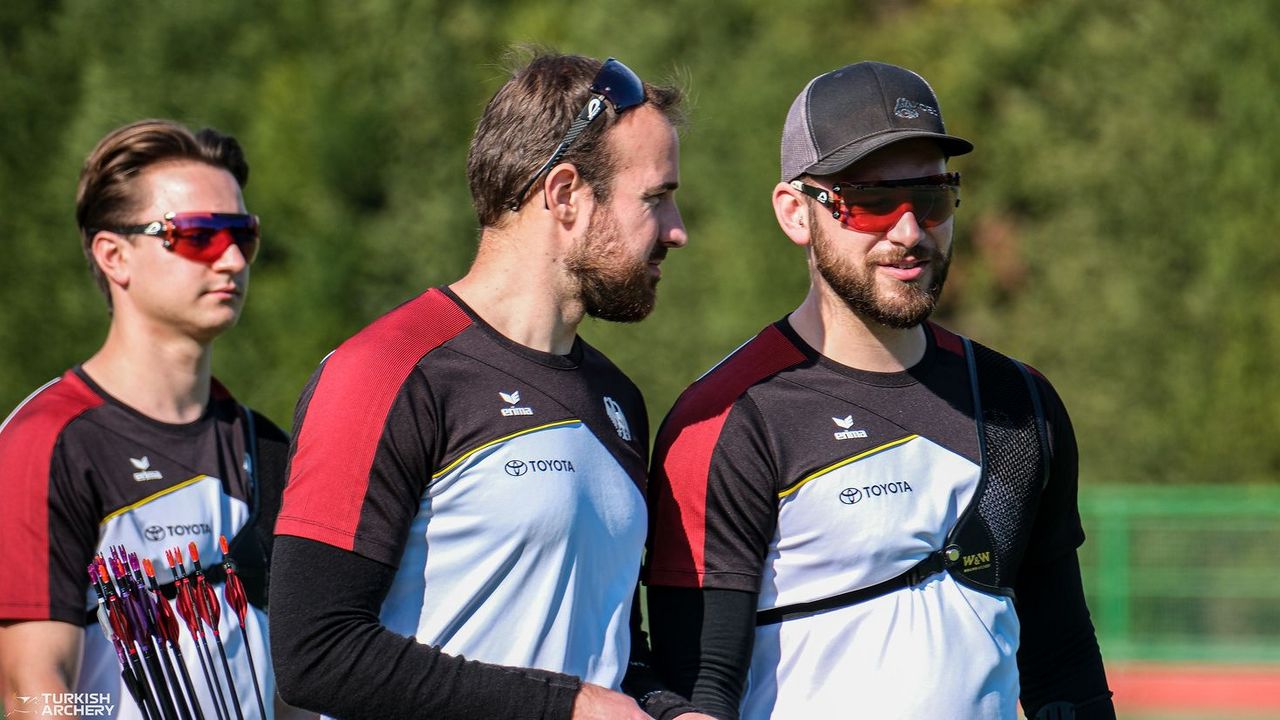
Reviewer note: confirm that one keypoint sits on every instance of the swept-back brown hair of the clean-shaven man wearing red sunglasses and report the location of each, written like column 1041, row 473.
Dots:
column 108, row 195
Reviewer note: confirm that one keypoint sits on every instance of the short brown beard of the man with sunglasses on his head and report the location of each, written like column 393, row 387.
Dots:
column 611, row 286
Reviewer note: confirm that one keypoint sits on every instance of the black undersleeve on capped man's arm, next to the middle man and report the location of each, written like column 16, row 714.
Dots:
column 702, row 644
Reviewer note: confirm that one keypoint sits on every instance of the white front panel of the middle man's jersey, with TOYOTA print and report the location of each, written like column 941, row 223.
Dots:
column 527, row 553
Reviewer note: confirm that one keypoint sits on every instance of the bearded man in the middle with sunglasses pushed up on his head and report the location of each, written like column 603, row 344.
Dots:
column 468, row 470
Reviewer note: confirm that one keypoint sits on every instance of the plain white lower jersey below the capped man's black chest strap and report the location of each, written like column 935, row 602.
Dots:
column 940, row 651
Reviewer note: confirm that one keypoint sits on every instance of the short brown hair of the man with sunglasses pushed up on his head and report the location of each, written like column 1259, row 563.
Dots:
column 528, row 117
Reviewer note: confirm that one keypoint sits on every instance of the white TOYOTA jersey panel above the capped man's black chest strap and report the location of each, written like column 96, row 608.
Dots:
column 865, row 521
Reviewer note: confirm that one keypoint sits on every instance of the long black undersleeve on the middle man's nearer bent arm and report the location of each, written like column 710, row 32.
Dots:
column 333, row 655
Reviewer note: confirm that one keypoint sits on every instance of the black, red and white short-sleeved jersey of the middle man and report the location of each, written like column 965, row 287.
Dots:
column 492, row 476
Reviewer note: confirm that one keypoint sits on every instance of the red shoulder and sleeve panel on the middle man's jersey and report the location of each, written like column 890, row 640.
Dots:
column 344, row 422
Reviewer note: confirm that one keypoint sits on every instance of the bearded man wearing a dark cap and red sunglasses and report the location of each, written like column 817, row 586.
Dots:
column 847, row 508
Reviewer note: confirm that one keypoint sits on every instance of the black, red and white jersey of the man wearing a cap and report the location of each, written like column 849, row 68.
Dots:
column 785, row 475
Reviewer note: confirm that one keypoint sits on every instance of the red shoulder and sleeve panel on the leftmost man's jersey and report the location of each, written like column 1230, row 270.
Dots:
column 28, row 441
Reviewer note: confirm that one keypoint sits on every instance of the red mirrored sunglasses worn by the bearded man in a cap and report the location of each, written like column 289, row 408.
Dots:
column 877, row 207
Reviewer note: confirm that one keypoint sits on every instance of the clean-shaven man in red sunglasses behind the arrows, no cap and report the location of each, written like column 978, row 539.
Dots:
column 140, row 446
